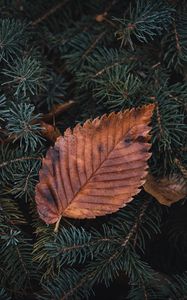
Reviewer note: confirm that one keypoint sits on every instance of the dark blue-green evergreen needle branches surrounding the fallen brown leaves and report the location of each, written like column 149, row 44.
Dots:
column 106, row 56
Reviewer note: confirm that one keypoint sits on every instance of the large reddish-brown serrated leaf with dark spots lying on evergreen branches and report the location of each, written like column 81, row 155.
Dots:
column 95, row 169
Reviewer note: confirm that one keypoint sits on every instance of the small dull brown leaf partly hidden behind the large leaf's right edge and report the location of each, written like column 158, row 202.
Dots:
column 166, row 190
